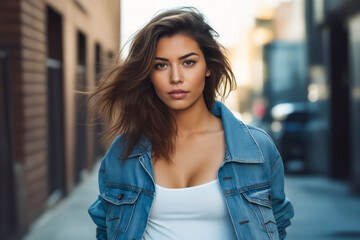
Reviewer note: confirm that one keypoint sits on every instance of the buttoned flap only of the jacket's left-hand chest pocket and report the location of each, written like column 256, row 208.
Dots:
column 119, row 196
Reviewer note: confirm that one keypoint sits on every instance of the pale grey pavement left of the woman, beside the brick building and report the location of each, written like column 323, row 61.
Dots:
column 69, row 219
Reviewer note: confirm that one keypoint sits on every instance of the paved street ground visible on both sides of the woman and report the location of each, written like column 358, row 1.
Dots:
column 324, row 210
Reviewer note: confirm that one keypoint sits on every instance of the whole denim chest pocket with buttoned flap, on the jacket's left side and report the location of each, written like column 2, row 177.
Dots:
column 121, row 204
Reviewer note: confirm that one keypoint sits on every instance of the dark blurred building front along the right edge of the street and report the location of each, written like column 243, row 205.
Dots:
column 333, row 40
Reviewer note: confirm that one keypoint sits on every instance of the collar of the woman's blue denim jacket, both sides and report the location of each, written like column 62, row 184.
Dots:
column 240, row 144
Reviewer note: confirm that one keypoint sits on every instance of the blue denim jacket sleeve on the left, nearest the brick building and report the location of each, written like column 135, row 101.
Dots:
column 97, row 210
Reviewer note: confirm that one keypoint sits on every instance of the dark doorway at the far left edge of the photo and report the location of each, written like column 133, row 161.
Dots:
column 7, row 199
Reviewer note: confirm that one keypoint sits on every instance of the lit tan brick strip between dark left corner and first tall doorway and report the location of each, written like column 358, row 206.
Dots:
column 34, row 90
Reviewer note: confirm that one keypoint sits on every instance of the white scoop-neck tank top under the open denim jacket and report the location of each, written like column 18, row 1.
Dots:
column 197, row 212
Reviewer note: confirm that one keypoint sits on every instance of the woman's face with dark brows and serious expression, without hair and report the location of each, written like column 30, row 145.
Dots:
column 179, row 72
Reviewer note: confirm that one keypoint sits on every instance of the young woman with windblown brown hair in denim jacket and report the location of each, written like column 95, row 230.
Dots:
column 181, row 165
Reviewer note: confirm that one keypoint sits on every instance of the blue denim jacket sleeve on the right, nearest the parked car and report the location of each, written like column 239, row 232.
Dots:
column 282, row 207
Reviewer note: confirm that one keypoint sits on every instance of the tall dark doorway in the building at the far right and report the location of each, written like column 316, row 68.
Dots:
column 340, row 120
